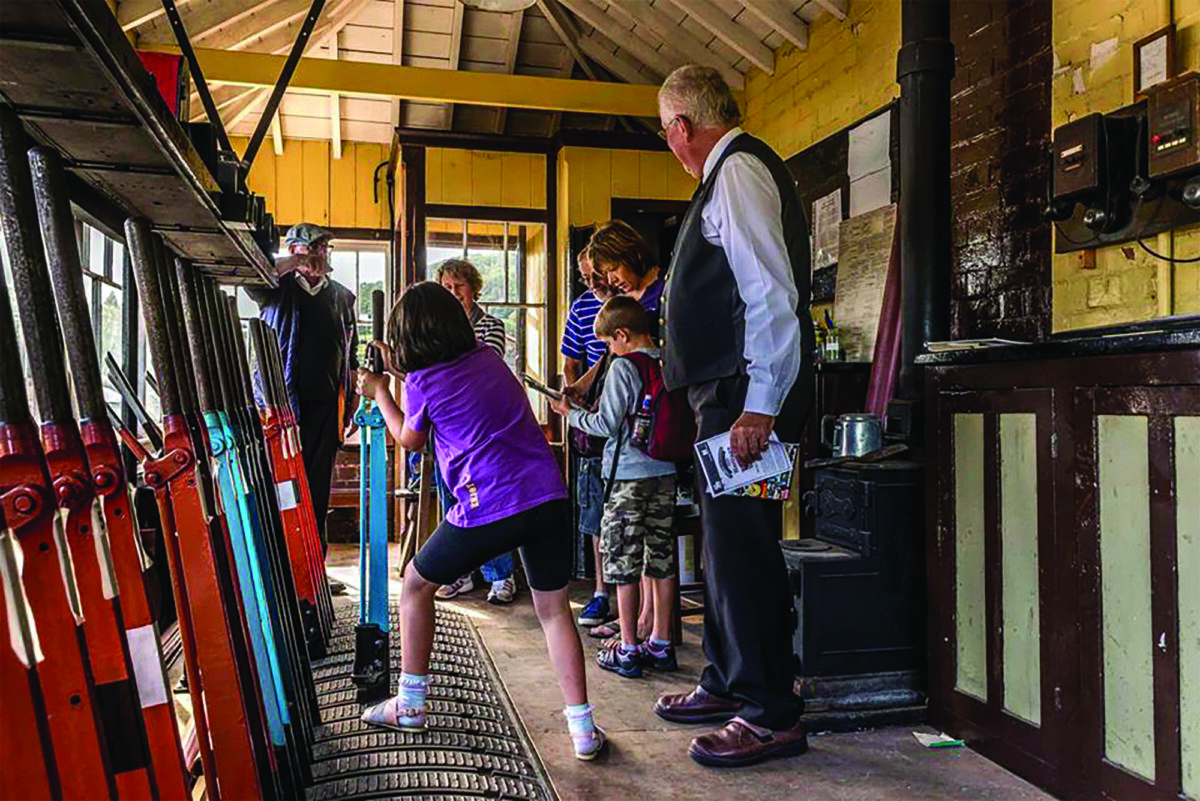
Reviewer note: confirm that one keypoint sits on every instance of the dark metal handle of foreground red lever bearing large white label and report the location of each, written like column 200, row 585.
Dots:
column 63, row 258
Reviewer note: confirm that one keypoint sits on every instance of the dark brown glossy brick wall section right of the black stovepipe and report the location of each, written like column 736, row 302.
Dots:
column 1000, row 134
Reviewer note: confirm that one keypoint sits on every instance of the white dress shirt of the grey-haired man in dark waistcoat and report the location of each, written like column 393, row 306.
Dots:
column 743, row 218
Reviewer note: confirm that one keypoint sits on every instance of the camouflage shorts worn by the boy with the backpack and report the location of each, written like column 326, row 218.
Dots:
column 635, row 532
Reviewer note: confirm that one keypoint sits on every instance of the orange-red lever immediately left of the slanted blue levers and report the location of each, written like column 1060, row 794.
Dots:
column 209, row 623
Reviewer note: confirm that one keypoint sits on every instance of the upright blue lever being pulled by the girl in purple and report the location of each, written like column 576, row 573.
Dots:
column 373, row 664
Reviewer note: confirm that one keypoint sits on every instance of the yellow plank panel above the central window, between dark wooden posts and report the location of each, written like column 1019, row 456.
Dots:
column 481, row 178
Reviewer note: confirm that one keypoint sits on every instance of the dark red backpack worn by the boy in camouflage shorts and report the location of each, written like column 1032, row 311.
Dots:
column 664, row 426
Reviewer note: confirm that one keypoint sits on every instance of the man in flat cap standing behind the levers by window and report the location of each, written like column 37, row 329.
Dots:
column 315, row 318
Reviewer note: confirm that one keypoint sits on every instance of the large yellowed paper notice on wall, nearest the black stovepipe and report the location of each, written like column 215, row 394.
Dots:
column 862, row 279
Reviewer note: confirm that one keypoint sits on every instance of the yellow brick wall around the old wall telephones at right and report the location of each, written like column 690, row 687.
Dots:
column 1126, row 285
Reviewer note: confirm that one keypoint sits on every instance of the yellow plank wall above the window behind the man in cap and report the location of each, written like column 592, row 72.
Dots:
column 307, row 184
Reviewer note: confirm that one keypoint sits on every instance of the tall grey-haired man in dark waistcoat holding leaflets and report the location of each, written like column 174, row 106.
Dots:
column 739, row 334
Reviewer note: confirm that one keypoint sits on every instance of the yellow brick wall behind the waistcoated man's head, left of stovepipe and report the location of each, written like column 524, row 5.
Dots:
column 848, row 73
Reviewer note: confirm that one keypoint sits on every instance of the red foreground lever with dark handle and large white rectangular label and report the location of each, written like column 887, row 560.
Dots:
column 113, row 503
